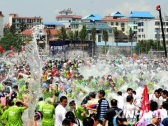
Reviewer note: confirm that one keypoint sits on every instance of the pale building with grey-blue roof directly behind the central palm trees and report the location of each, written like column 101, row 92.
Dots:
column 100, row 26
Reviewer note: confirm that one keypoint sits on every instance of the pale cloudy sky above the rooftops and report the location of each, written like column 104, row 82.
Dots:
column 48, row 9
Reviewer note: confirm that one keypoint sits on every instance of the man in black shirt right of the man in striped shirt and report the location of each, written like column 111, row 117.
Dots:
column 112, row 112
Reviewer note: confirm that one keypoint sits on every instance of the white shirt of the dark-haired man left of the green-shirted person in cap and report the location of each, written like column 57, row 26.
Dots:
column 60, row 115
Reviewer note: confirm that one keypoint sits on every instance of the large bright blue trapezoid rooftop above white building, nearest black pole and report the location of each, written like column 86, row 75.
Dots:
column 140, row 14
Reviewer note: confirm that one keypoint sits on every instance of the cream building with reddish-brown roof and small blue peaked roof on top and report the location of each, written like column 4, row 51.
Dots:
column 117, row 20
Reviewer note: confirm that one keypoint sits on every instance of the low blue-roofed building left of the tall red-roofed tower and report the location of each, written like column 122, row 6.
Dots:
column 55, row 25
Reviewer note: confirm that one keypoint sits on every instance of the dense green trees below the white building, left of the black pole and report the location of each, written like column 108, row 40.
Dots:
column 144, row 46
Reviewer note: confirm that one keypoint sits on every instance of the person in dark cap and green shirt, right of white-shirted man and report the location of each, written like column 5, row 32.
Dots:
column 78, row 110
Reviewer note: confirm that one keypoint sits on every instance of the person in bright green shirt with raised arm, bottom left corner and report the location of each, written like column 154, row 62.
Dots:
column 13, row 114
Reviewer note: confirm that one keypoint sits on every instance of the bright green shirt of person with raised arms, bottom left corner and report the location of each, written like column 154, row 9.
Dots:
column 13, row 116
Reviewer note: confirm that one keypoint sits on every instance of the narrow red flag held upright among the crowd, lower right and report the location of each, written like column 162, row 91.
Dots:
column 145, row 102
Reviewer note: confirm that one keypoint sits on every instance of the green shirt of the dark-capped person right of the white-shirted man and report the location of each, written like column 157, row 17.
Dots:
column 78, row 113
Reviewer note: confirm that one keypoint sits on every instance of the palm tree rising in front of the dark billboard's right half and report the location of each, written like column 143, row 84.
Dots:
column 83, row 36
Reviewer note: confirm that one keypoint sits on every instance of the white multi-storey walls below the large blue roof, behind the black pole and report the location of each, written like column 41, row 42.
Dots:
column 151, row 29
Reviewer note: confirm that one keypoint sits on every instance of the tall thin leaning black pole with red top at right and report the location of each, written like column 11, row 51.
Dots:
column 158, row 8
